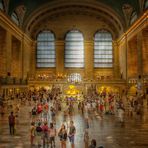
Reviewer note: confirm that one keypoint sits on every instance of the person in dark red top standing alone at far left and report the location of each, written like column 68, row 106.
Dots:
column 11, row 119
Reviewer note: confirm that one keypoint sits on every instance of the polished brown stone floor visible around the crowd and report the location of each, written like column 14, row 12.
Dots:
column 108, row 131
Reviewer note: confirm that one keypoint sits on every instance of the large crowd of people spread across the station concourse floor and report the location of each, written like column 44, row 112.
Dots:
column 45, row 106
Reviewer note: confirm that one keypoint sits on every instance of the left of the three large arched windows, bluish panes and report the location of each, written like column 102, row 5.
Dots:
column 46, row 49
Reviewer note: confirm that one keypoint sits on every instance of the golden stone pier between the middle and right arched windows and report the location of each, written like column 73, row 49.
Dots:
column 89, row 59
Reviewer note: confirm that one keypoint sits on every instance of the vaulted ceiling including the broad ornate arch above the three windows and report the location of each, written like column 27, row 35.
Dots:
column 114, row 13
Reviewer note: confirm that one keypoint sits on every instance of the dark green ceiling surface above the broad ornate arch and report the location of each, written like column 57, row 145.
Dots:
column 32, row 5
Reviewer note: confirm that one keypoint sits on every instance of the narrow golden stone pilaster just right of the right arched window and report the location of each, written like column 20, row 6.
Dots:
column 116, row 60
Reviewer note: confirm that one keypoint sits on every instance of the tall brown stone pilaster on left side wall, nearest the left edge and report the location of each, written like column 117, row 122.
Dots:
column 8, row 51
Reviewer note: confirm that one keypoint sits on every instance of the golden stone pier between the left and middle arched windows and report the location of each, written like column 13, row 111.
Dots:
column 59, row 56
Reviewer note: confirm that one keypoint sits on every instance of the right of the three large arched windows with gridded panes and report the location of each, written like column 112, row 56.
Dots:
column 103, row 52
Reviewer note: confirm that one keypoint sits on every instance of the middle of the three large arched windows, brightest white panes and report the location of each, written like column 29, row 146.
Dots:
column 74, row 49
